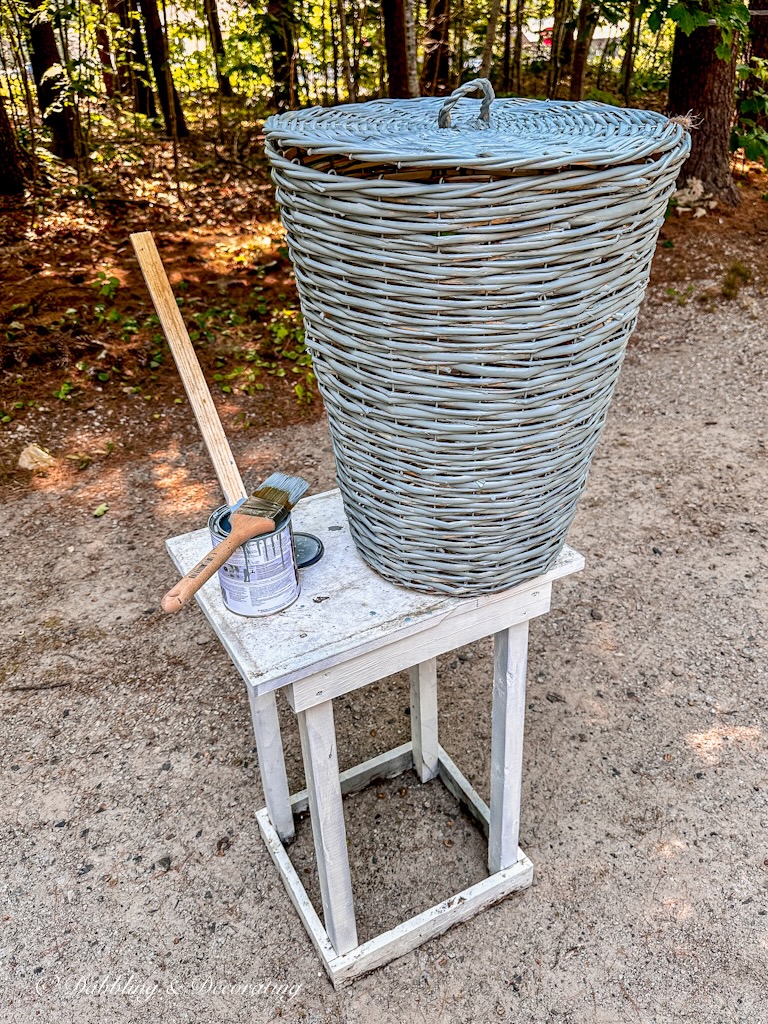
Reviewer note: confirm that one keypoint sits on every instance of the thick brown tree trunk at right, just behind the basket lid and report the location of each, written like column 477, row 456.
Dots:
column 702, row 83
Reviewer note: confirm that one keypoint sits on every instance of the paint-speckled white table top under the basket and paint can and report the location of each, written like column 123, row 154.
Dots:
column 345, row 609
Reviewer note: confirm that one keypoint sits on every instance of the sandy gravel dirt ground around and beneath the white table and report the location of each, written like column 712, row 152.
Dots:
column 138, row 887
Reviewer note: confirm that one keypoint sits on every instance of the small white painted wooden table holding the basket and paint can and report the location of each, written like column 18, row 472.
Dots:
column 351, row 628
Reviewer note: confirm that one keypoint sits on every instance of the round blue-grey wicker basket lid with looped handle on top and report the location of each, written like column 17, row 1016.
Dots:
column 516, row 135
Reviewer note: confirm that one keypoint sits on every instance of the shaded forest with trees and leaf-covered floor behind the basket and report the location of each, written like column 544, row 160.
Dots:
column 118, row 115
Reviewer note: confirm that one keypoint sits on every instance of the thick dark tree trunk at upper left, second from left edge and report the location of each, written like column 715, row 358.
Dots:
column 51, row 81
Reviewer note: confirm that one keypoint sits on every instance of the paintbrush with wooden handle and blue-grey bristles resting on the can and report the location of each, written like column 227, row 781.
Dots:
column 268, row 507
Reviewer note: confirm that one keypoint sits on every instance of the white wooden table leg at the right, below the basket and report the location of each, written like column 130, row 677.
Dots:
column 510, row 662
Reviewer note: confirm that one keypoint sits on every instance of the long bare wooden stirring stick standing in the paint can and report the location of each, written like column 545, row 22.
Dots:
column 189, row 367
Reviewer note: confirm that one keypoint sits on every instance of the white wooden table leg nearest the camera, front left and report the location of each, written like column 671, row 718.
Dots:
column 327, row 815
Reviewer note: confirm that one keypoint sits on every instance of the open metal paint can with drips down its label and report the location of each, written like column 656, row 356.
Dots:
column 262, row 577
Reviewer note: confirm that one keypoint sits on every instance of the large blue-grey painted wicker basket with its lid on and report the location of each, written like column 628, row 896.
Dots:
column 468, row 291
